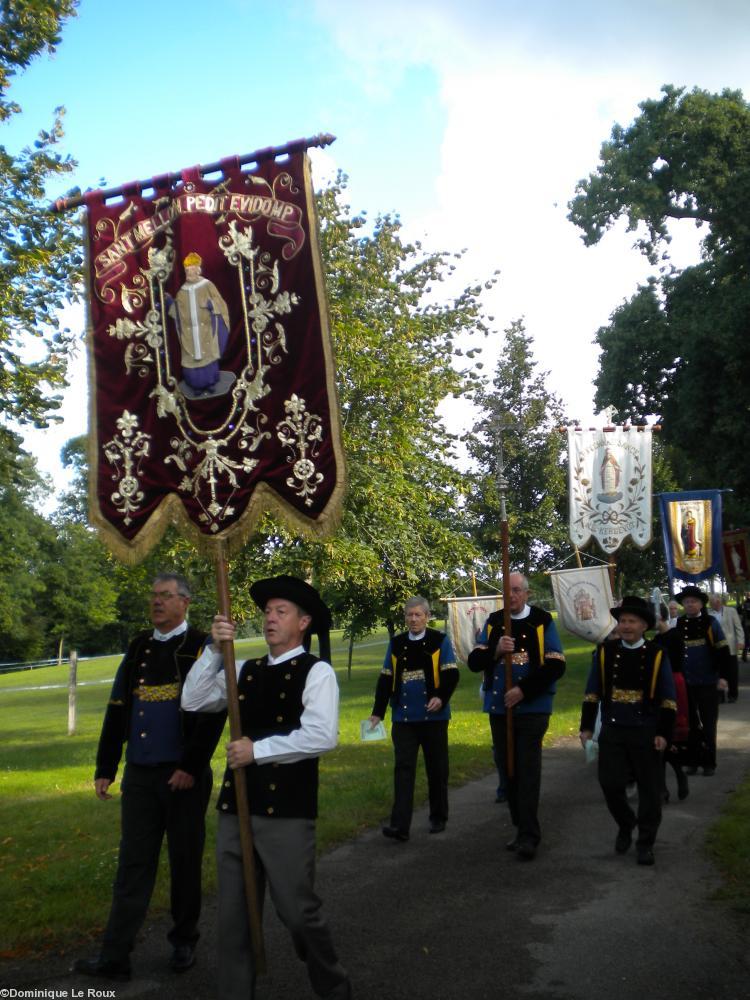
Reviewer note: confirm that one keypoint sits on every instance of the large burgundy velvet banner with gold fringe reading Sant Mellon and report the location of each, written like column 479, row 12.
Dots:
column 212, row 381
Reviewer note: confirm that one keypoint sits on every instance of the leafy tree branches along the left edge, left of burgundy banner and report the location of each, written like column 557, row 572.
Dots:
column 39, row 251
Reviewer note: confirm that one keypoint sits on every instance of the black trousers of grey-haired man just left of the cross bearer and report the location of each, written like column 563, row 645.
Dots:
column 407, row 738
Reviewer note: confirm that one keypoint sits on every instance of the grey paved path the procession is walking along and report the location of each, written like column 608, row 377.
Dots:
column 456, row 917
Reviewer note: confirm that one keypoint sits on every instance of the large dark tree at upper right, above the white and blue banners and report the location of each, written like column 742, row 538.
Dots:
column 679, row 348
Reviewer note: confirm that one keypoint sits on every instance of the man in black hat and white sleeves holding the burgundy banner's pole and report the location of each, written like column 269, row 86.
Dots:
column 289, row 703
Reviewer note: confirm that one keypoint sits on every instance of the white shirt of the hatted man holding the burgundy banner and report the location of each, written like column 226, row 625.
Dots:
column 205, row 690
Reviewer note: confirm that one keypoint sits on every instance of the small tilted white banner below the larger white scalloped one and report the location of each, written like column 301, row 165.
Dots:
column 583, row 598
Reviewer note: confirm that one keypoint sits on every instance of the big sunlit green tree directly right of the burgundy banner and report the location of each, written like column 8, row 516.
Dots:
column 395, row 339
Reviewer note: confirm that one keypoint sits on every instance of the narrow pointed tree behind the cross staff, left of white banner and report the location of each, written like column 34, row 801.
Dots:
column 532, row 447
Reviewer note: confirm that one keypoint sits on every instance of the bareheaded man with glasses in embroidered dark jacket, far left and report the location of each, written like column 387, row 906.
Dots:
column 166, row 785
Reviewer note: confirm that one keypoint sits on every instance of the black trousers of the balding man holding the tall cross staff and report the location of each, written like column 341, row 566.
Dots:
column 524, row 787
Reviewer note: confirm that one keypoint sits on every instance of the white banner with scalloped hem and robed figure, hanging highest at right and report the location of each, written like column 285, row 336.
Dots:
column 610, row 487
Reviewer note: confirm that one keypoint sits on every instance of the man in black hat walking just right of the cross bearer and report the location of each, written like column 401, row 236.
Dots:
column 631, row 681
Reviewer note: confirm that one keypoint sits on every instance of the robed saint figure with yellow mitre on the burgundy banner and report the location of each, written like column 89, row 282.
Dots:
column 202, row 320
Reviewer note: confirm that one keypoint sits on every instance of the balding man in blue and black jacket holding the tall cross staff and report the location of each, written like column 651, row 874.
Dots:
column 538, row 663
